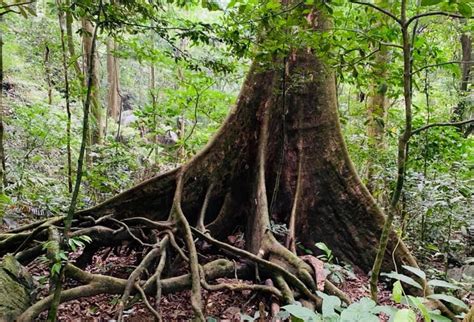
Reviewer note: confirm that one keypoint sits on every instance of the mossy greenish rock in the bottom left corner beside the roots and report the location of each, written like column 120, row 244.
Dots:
column 16, row 289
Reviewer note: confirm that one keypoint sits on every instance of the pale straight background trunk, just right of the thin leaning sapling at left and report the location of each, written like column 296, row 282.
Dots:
column 113, row 97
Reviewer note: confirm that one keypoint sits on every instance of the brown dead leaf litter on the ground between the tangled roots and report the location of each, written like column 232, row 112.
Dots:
column 225, row 305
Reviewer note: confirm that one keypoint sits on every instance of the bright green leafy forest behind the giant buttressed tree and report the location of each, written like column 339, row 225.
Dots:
column 165, row 75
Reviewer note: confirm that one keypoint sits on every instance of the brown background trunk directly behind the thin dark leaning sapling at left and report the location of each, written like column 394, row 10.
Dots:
column 96, row 110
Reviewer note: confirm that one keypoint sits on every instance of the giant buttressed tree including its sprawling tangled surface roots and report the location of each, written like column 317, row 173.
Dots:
column 279, row 158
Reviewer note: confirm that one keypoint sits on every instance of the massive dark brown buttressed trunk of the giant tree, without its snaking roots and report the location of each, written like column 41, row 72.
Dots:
column 303, row 144
